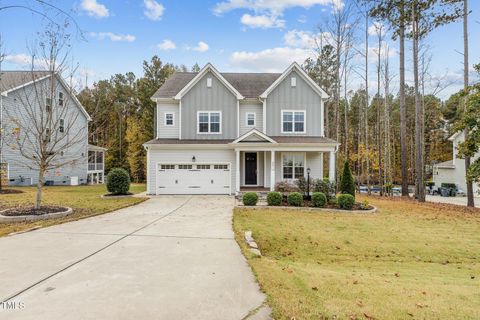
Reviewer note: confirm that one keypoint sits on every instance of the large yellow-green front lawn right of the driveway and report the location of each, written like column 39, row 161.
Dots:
column 408, row 261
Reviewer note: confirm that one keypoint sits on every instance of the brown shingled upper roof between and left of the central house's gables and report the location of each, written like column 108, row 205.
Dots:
column 250, row 85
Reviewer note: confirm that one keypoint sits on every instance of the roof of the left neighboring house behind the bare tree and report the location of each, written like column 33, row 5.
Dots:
column 13, row 80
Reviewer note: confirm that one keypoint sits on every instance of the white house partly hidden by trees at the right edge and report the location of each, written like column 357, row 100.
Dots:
column 453, row 171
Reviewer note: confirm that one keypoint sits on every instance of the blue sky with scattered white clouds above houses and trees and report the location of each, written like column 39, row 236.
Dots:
column 234, row 35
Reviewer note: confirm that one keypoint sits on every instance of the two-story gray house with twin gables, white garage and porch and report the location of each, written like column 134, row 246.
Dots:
column 222, row 133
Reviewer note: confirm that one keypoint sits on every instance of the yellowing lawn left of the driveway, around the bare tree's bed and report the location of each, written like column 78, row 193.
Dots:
column 84, row 200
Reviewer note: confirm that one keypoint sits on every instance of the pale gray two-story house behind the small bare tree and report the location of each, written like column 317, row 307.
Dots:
column 25, row 99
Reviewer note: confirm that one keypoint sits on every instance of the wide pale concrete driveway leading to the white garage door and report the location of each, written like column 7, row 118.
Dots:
column 171, row 257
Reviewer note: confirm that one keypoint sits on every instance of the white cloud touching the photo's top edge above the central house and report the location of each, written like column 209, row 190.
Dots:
column 273, row 6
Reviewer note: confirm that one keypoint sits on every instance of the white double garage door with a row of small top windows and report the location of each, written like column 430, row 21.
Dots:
column 193, row 178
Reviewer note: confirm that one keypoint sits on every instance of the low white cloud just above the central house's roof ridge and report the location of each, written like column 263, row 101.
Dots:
column 269, row 60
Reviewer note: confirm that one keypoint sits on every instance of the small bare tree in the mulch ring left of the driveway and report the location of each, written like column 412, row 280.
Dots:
column 44, row 127
